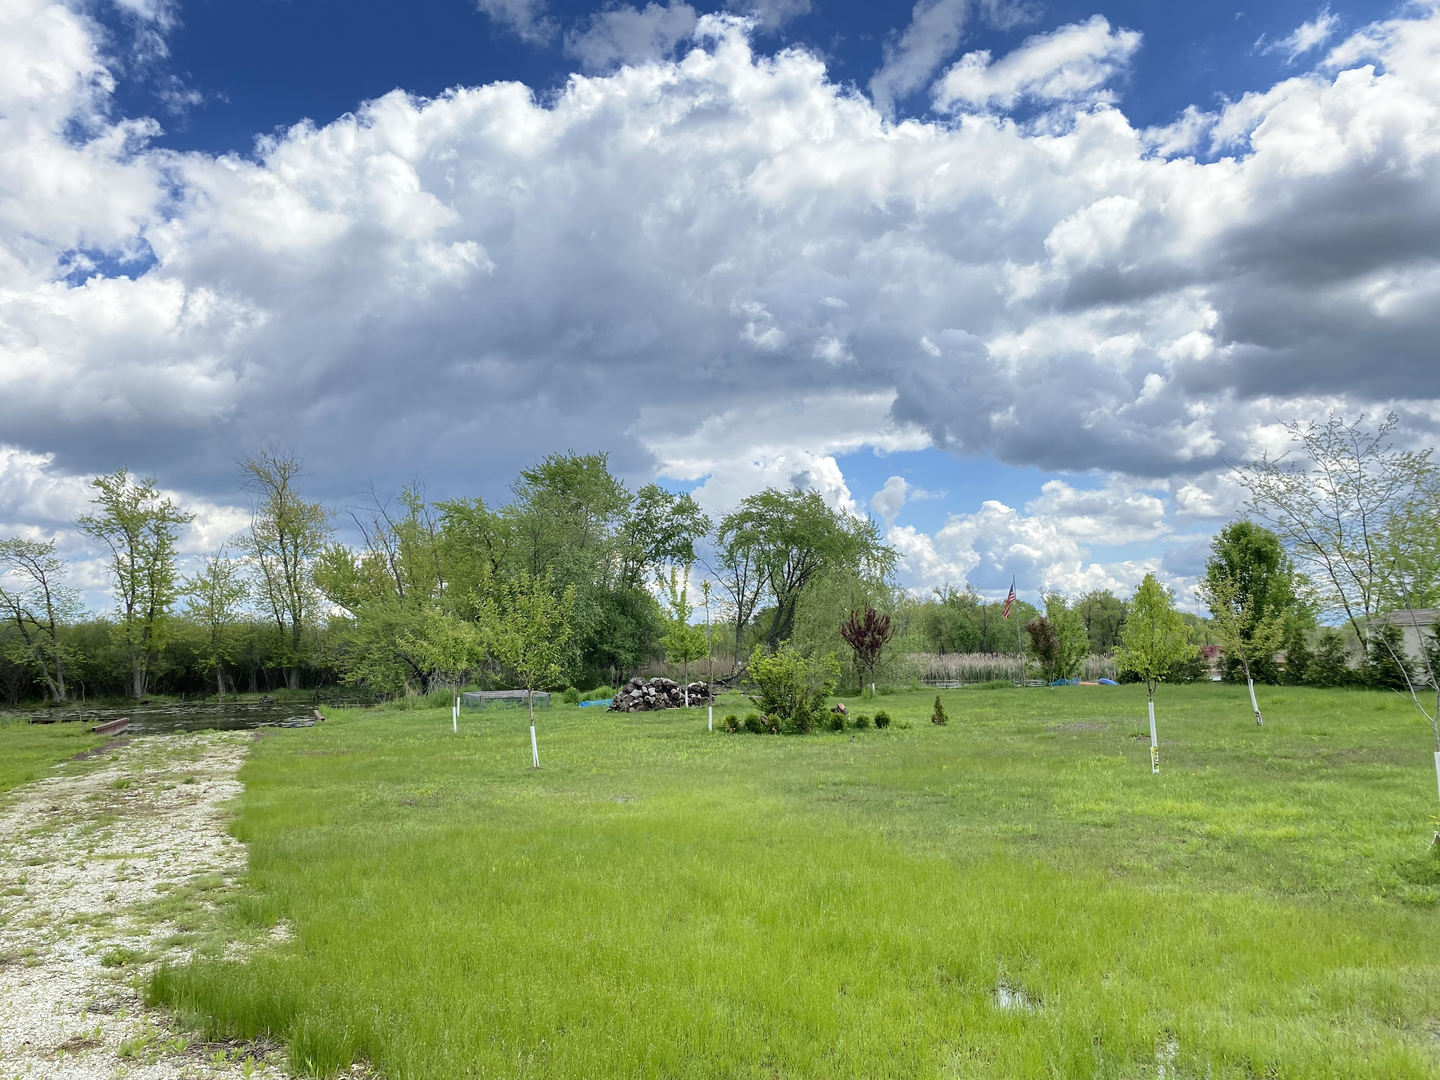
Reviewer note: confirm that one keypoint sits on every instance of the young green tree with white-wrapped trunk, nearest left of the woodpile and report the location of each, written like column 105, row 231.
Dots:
column 531, row 634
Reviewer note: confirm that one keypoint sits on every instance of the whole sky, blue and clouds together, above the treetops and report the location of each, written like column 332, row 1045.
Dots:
column 1020, row 280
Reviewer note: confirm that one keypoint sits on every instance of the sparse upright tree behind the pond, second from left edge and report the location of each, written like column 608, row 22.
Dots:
column 139, row 529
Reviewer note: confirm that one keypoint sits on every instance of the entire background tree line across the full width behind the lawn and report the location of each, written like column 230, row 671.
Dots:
column 284, row 604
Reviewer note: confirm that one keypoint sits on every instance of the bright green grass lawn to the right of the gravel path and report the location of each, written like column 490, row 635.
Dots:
column 1010, row 896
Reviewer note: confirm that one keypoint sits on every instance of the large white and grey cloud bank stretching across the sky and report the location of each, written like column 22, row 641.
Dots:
column 719, row 263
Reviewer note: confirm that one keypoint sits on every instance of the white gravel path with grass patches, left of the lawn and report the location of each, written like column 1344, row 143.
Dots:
column 104, row 869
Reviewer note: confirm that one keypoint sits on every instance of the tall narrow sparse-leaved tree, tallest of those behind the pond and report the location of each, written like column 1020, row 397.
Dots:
column 286, row 538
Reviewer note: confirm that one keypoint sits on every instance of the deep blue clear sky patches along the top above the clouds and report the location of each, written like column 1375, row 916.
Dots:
column 261, row 67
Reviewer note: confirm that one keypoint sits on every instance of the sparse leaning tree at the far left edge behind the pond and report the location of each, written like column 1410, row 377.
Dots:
column 37, row 603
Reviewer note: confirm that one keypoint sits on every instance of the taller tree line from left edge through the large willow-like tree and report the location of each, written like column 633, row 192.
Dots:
column 431, row 588
